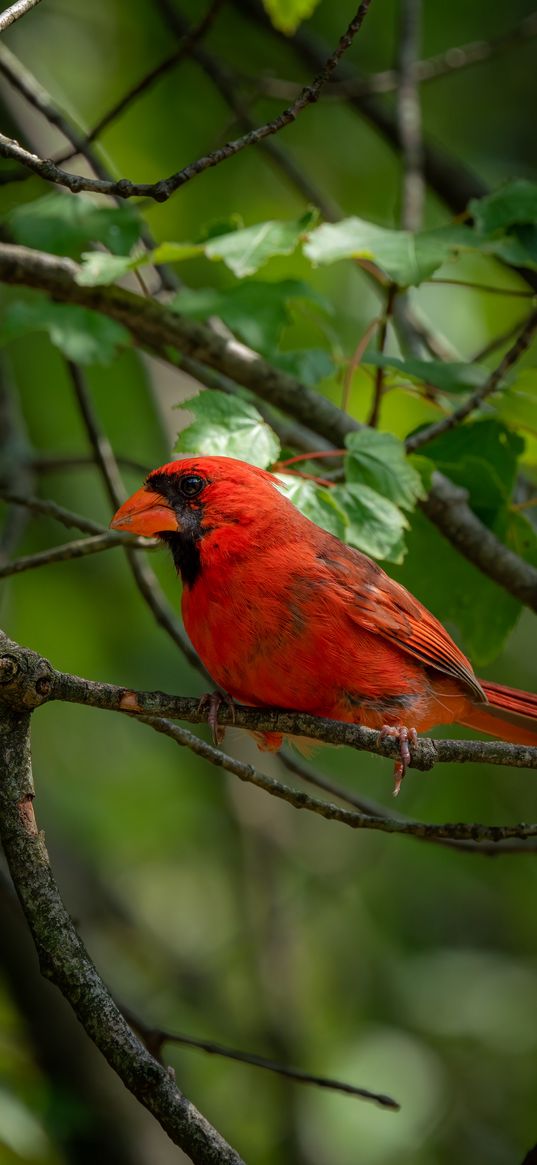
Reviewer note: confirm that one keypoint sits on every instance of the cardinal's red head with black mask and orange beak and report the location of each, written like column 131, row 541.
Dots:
column 187, row 502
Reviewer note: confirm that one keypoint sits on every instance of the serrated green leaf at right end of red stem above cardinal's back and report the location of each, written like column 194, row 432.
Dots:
column 379, row 461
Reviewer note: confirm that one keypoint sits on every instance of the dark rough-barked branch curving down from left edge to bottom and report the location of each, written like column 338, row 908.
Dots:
column 65, row 959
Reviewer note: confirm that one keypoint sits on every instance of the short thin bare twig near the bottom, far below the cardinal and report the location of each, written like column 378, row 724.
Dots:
column 157, row 1037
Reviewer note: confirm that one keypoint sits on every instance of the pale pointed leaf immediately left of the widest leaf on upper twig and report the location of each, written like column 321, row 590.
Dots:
column 246, row 251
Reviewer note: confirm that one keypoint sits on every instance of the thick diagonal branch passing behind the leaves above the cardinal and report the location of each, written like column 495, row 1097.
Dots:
column 154, row 326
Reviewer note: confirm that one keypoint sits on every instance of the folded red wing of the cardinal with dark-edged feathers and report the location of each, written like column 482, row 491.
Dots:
column 385, row 608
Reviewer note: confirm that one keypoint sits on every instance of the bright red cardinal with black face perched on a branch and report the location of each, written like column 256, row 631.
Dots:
column 284, row 615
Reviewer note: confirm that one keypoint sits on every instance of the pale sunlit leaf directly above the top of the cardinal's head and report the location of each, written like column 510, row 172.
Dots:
column 228, row 427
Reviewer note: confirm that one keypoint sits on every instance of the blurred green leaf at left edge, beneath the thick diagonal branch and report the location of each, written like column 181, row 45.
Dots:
column 83, row 336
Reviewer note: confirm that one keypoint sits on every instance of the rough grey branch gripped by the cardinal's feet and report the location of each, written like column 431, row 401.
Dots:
column 32, row 681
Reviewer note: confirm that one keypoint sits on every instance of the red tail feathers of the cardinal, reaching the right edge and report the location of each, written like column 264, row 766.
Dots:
column 511, row 715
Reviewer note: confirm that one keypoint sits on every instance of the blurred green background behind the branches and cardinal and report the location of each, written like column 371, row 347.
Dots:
column 208, row 907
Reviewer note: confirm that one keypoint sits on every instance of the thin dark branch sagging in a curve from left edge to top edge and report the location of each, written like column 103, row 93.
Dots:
column 165, row 188
